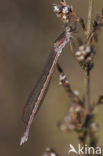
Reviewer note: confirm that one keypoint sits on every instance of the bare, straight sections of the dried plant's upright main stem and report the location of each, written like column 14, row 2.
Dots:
column 87, row 72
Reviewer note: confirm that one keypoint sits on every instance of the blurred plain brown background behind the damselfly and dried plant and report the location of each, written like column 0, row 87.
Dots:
column 27, row 32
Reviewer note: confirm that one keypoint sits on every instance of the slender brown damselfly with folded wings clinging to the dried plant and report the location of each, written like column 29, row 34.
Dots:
column 38, row 93
